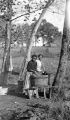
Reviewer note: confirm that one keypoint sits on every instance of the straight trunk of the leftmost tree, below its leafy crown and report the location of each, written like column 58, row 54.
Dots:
column 6, row 57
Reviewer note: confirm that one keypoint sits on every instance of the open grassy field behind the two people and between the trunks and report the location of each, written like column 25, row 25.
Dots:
column 50, row 60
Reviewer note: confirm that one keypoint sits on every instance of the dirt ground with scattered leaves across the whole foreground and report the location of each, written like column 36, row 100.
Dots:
column 17, row 108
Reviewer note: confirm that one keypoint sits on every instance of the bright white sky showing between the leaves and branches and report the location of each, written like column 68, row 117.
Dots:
column 57, row 19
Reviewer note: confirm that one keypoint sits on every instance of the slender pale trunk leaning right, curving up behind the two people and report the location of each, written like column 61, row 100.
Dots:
column 28, row 52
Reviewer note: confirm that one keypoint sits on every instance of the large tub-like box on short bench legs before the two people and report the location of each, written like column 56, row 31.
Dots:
column 42, row 82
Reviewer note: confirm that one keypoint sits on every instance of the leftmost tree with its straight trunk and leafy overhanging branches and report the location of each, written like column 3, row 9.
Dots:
column 6, row 9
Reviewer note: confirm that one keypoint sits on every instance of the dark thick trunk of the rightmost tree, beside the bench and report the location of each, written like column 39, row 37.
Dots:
column 60, row 74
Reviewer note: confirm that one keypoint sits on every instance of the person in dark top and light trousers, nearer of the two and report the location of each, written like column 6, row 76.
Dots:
column 31, row 72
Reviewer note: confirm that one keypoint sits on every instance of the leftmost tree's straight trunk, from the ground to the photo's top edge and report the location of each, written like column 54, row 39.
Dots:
column 6, row 57
